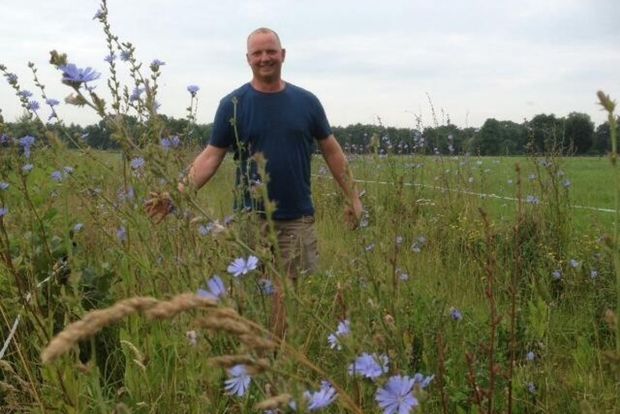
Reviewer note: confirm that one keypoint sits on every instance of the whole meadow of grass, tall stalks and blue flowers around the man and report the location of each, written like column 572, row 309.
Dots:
column 471, row 285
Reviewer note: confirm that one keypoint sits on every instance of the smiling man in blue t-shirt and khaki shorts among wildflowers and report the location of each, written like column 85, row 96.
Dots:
column 279, row 121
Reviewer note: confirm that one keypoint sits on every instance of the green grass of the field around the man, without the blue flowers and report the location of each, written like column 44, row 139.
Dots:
column 505, row 303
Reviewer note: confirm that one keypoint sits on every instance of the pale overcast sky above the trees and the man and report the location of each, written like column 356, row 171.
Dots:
column 406, row 63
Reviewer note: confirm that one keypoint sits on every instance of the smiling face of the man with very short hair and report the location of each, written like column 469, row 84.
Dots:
column 265, row 56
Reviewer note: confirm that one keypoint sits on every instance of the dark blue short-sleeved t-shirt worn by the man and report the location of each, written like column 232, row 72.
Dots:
column 282, row 126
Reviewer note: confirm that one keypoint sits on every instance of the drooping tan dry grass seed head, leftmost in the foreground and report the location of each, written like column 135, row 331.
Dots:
column 92, row 323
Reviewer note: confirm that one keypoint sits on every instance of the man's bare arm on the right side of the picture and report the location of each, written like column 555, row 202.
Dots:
column 339, row 167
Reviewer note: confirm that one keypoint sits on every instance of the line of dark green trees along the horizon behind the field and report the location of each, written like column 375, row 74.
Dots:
column 574, row 134
